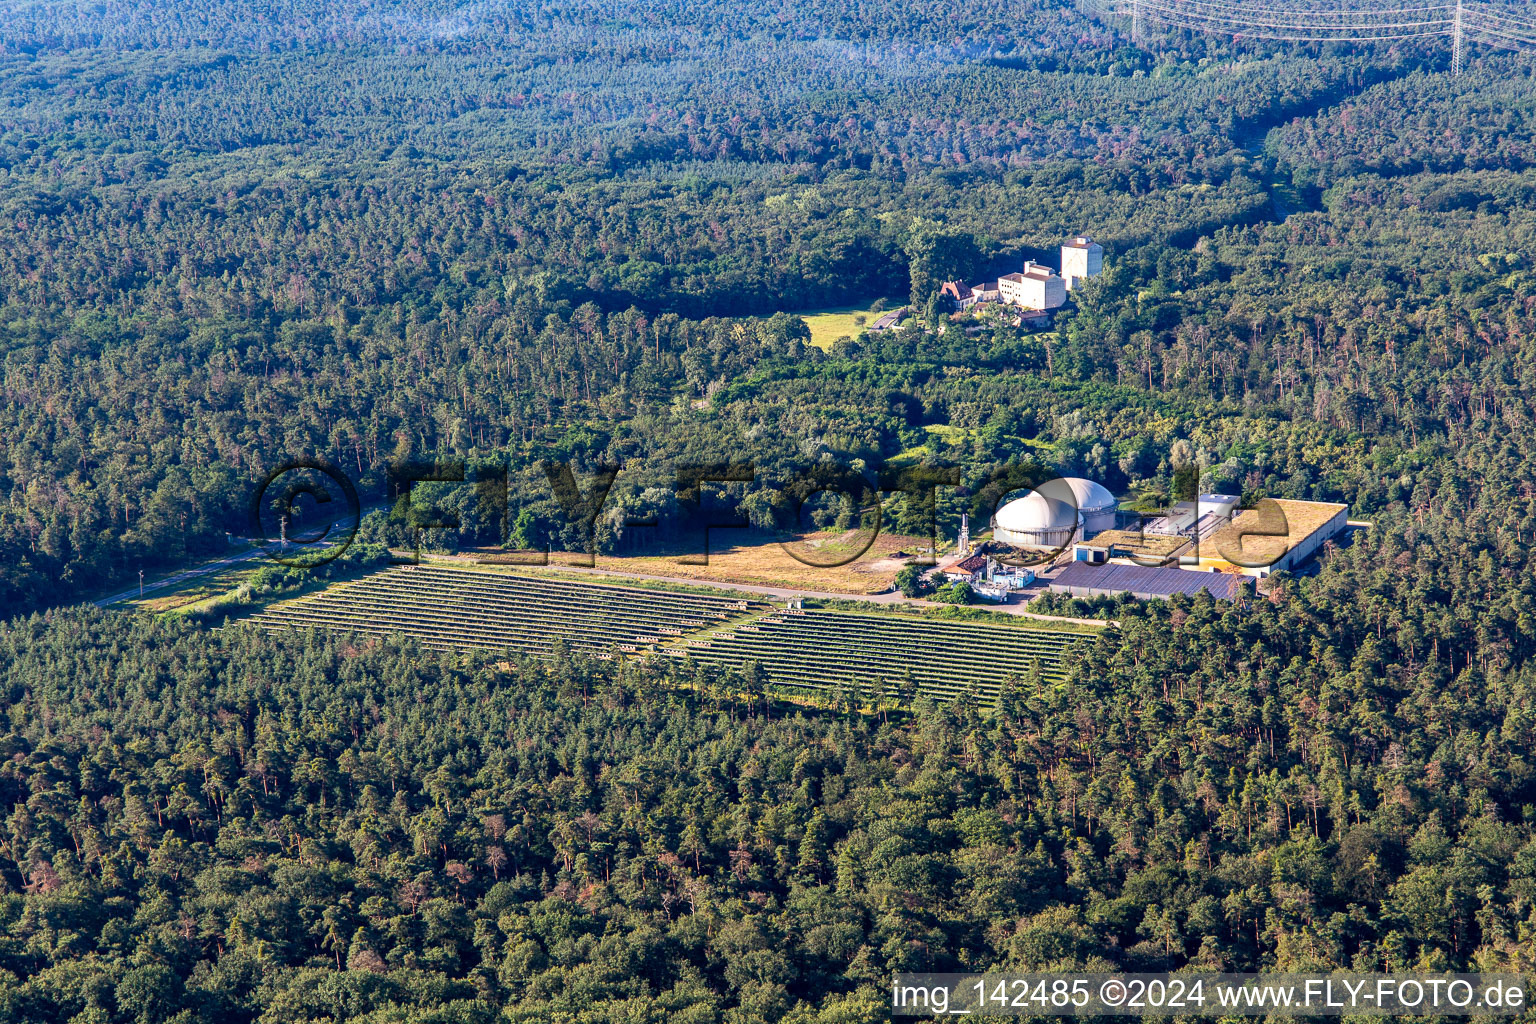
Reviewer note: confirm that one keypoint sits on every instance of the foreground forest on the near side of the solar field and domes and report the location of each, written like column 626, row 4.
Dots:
column 222, row 828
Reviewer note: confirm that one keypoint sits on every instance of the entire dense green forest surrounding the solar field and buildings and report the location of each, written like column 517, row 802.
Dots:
column 411, row 231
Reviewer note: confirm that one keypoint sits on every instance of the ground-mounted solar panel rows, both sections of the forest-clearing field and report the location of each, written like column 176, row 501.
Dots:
column 458, row 609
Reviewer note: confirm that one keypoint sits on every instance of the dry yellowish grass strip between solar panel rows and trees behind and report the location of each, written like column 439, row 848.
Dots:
column 761, row 561
